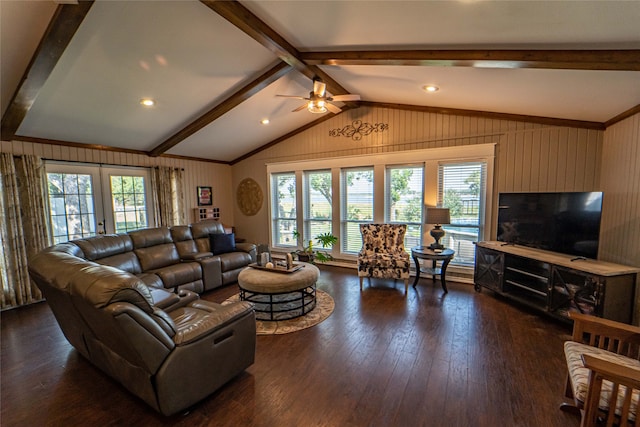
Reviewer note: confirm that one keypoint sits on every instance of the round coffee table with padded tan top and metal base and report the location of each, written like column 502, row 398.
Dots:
column 277, row 295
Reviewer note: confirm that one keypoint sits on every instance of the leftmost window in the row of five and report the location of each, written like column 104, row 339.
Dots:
column 283, row 208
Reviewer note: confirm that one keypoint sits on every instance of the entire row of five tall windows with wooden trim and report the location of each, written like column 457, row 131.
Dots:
column 338, row 194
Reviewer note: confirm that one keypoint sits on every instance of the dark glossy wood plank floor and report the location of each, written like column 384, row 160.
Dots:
column 460, row 359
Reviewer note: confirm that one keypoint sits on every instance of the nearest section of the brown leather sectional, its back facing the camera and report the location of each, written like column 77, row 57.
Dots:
column 171, row 350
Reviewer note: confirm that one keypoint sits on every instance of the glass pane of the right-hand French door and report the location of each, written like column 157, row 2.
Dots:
column 129, row 202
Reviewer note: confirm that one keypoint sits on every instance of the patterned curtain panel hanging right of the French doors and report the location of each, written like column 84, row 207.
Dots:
column 168, row 184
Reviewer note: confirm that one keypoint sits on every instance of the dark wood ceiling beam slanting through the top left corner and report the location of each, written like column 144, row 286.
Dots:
column 63, row 26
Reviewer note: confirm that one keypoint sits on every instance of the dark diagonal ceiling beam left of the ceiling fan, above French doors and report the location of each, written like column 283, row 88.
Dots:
column 223, row 107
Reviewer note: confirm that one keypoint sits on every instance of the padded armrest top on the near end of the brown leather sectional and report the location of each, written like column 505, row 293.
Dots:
column 216, row 316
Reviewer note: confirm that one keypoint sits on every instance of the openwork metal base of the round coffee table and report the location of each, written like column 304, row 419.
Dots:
column 281, row 306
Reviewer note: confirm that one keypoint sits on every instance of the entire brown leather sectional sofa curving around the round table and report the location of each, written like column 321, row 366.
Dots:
column 126, row 303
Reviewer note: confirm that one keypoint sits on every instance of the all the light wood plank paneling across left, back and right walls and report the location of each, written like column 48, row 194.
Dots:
column 529, row 157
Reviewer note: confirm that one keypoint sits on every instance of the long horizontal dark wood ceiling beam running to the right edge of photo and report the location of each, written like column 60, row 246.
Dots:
column 615, row 60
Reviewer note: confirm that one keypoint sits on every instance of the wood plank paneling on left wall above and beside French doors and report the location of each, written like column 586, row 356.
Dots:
column 218, row 176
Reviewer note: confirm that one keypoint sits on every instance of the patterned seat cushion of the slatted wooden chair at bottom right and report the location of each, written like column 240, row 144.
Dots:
column 579, row 375
